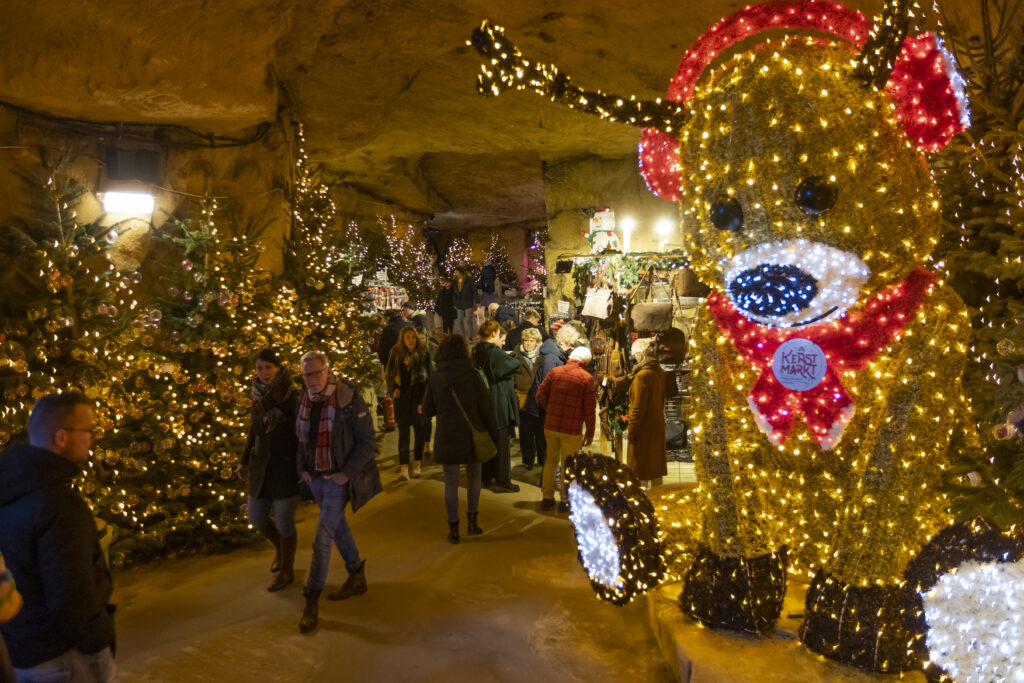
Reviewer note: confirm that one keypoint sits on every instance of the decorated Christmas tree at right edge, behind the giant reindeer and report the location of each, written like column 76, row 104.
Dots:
column 982, row 177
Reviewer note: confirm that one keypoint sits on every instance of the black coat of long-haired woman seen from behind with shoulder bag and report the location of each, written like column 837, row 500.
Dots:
column 454, row 441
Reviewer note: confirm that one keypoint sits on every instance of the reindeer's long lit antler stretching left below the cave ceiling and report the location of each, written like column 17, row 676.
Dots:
column 506, row 69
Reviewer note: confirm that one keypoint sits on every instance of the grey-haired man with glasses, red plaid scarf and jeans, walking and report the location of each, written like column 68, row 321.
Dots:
column 337, row 444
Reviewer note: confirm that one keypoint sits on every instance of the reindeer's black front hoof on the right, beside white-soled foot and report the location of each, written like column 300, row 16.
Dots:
column 861, row 626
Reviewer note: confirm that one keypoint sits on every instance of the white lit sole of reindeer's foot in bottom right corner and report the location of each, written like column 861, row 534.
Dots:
column 975, row 622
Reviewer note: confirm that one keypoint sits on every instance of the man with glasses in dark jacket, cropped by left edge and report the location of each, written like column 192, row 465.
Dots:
column 50, row 542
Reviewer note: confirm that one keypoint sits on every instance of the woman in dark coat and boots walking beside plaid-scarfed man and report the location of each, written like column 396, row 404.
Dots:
column 269, row 463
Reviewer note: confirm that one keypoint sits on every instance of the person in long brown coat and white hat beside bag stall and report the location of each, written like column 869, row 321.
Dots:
column 647, row 456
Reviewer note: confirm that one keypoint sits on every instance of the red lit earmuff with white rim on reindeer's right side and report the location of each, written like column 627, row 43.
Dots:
column 930, row 94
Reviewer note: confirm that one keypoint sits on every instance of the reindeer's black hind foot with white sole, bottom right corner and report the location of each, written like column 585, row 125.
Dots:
column 969, row 587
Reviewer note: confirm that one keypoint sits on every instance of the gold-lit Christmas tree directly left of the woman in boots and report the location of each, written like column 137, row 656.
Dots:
column 164, row 477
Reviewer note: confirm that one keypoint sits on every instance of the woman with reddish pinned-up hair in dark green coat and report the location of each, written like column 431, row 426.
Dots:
column 500, row 368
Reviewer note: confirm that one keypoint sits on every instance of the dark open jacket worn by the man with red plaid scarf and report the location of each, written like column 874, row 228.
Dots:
column 354, row 443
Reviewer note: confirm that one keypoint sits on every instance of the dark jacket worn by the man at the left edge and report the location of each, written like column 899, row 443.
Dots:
column 50, row 542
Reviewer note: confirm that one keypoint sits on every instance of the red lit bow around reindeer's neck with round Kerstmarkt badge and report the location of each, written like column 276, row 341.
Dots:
column 847, row 345
